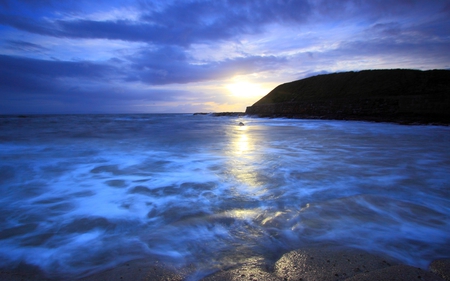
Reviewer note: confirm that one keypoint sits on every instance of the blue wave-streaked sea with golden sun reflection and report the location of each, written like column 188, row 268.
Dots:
column 83, row 193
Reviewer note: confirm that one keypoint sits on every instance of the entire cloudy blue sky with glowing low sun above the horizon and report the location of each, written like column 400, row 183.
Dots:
column 150, row 56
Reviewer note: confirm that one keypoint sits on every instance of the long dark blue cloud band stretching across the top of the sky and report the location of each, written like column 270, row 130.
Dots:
column 186, row 22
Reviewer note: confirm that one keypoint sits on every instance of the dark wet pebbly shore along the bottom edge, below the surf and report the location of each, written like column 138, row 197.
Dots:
column 309, row 264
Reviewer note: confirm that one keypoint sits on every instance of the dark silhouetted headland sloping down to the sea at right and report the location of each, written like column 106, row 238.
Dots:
column 397, row 95
